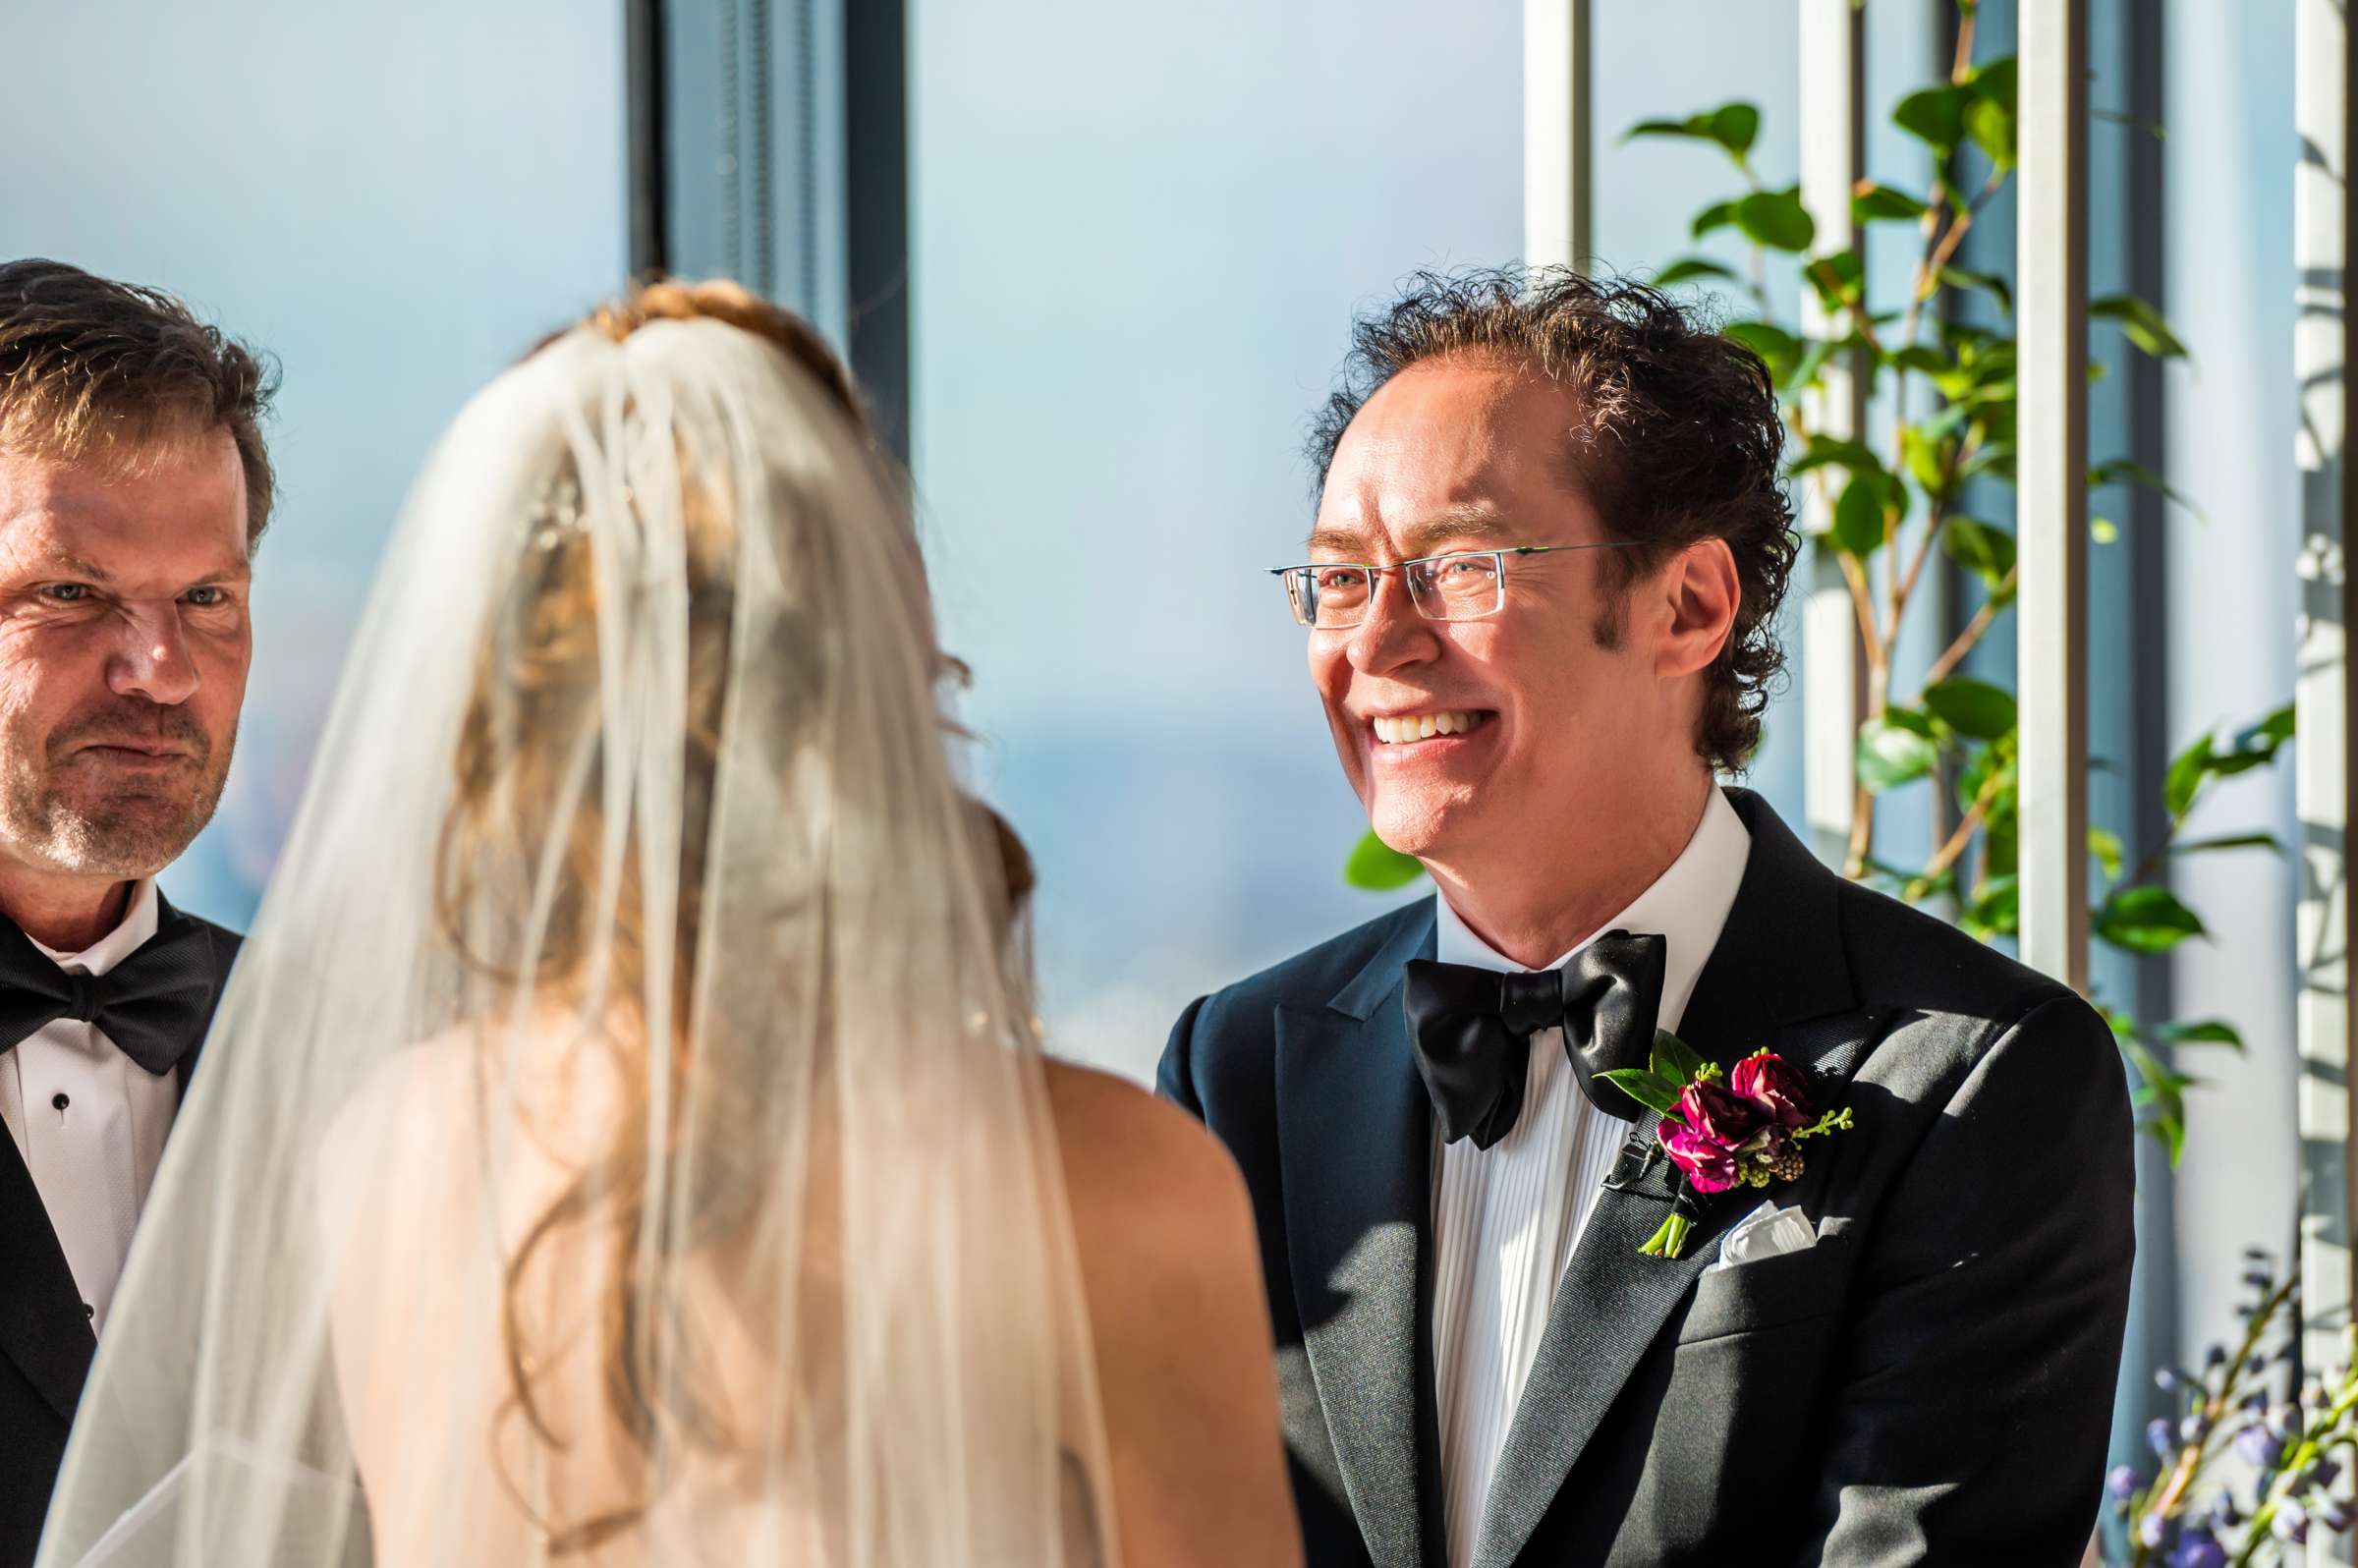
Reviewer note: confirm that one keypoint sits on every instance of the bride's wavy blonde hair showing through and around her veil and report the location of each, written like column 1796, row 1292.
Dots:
column 536, row 694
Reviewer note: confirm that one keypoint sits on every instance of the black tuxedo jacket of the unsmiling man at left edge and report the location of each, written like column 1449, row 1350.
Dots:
column 46, row 1338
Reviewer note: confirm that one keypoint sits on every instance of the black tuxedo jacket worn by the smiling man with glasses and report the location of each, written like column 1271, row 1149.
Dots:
column 1930, row 1383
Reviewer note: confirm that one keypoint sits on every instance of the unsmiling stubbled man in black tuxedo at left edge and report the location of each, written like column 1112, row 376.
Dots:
column 133, row 487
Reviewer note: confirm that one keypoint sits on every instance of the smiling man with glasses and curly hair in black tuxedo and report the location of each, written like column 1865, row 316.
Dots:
column 1541, row 602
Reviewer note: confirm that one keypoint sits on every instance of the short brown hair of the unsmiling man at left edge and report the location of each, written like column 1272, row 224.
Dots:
column 114, row 374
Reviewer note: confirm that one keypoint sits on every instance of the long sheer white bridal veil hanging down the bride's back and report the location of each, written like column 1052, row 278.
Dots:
column 624, row 1138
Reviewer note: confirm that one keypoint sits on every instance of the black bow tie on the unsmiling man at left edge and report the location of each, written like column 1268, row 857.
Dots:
column 154, row 1006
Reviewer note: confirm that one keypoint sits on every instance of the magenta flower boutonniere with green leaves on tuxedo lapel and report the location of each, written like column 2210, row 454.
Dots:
column 1723, row 1131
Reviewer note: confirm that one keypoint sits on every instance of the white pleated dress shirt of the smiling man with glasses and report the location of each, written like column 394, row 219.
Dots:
column 1506, row 1218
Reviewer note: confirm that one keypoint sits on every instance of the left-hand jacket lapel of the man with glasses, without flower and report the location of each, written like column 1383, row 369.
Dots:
column 1355, row 1138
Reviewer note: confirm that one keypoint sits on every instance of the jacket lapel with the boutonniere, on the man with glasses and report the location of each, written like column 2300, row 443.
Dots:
column 1777, row 980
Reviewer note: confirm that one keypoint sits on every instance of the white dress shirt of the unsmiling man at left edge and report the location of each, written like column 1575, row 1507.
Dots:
column 91, row 1121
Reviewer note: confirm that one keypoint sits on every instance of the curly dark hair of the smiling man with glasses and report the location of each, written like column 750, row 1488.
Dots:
column 1680, row 440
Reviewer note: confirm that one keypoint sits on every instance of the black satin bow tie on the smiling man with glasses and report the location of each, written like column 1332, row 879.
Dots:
column 1473, row 1029
